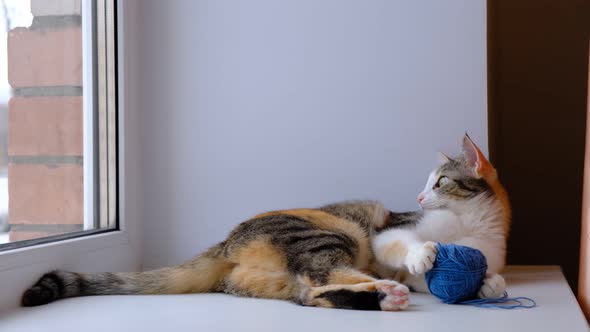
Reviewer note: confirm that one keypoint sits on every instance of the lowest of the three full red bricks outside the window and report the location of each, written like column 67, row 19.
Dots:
column 41, row 194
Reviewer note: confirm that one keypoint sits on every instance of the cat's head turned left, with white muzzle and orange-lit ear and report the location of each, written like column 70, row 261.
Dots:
column 459, row 181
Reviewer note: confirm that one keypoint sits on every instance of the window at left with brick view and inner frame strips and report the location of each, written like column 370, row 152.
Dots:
column 58, row 128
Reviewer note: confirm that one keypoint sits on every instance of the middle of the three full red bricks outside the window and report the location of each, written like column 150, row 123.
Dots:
column 45, row 126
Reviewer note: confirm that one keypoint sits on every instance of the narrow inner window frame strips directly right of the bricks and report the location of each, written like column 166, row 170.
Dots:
column 100, row 99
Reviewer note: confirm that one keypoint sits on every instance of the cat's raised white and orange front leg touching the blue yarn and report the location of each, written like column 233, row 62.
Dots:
column 400, row 248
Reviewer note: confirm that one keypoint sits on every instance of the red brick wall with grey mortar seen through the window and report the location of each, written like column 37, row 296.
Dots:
column 45, row 181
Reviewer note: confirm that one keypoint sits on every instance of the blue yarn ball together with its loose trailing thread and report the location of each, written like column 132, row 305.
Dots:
column 457, row 275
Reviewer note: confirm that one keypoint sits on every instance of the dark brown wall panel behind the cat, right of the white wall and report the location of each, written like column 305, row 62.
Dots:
column 538, row 67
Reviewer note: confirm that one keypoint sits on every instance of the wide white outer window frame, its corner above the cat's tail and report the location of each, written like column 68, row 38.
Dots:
column 113, row 251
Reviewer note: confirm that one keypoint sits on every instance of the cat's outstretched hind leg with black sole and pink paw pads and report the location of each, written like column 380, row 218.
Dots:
column 348, row 288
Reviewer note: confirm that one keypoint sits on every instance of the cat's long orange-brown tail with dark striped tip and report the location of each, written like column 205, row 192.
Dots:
column 201, row 274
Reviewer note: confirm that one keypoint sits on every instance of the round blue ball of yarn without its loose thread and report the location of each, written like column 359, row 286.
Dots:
column 457, row 274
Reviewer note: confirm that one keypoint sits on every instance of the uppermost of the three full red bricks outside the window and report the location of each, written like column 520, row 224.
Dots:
column 50, row 57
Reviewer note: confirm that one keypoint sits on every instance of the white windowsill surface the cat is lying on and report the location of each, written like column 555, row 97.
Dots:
column 557, row 310
